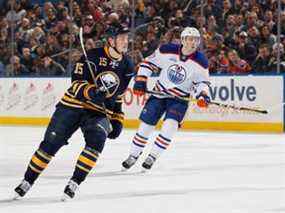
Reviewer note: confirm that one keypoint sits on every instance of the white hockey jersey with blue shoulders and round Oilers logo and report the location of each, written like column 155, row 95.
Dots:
column 178, row 75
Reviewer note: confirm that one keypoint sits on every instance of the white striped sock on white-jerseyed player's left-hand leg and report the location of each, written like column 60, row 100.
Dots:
column 140, row 139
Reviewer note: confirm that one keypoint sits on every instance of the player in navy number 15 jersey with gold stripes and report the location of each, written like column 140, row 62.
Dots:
column 92, row 103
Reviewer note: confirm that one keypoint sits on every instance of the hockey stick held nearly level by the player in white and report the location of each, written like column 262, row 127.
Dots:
column 211, row 103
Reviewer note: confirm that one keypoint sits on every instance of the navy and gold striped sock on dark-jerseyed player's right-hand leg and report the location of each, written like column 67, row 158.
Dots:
column 86, row 161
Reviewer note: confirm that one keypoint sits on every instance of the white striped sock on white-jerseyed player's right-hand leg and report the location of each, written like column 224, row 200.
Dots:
column 163, row 140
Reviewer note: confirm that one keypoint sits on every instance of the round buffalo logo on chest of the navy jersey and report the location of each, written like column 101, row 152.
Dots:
column 108, row 81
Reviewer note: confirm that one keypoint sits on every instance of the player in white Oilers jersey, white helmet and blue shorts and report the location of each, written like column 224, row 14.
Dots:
column 182, row 69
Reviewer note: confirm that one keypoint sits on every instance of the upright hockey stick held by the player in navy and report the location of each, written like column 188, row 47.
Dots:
column 92, row 73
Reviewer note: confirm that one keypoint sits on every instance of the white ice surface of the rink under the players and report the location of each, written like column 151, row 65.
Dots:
column 199, row 173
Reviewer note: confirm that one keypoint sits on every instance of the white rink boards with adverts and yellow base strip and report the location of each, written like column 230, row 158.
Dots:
column 31, row 101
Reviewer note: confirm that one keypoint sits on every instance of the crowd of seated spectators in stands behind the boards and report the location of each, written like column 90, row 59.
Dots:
column 40, row 38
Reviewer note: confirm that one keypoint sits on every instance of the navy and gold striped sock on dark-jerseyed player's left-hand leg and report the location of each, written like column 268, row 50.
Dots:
column 38, row 163
